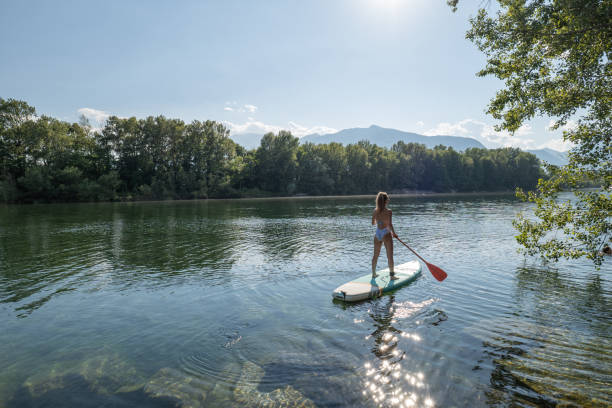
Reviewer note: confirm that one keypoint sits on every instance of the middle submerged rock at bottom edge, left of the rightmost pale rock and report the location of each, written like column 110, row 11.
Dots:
column 188, row 391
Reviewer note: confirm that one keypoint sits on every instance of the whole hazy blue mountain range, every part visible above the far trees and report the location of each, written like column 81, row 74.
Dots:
column 388, row 137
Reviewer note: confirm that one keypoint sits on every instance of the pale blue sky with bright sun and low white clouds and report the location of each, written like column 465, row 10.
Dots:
column 307, row 66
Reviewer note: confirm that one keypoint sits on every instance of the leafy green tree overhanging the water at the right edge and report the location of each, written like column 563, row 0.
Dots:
column 554, row 57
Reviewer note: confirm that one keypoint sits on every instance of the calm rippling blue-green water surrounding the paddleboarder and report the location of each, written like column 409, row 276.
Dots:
column 228, row 303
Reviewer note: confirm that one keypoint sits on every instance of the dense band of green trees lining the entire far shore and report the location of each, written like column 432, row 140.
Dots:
column 43, row 159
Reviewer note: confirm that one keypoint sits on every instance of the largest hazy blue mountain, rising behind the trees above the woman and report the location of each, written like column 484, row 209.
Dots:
column 388, row 137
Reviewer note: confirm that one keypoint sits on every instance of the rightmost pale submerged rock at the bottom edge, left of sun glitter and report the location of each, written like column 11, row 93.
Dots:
column 247, row 395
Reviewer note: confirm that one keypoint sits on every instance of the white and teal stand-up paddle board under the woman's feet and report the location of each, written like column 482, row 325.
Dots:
column 367, row 287
